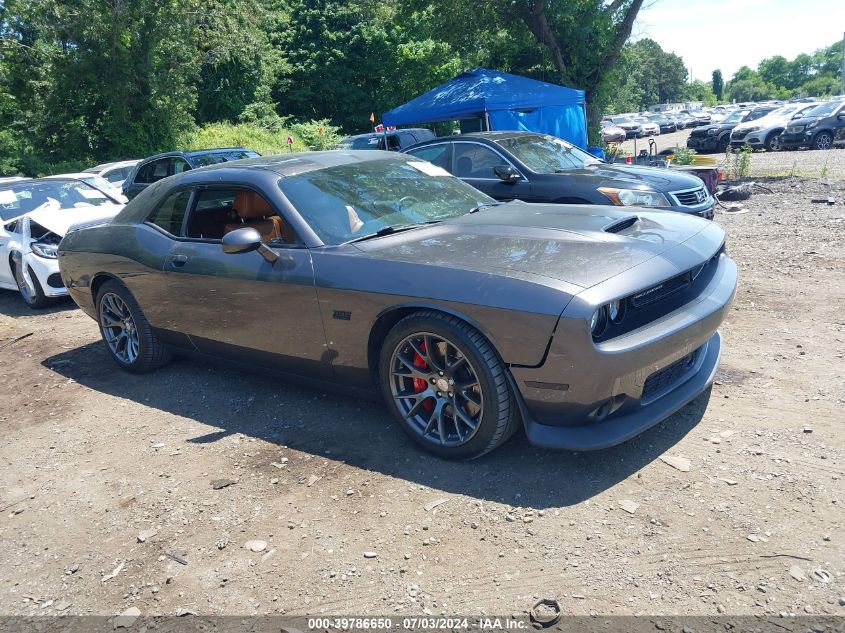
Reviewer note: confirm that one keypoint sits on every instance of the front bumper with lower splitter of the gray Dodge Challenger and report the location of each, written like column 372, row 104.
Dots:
column 606, row 393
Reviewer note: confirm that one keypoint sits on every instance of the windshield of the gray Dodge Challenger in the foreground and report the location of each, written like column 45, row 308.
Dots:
column 351, row 201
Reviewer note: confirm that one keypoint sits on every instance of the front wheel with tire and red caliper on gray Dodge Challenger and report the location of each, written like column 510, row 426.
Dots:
column 408, row 366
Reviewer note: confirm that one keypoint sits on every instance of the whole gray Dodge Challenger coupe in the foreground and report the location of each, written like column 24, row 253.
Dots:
column 372, row 271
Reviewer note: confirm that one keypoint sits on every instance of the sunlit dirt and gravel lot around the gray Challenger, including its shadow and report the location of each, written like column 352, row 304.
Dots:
column 91, row 458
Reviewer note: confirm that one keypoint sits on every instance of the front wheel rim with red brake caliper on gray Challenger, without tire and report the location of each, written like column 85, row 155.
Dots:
column 436, row 389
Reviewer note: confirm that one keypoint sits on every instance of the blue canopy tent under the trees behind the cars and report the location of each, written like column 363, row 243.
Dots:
column 503, row 101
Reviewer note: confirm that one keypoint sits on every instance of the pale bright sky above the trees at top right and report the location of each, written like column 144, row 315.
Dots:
column 727, row 34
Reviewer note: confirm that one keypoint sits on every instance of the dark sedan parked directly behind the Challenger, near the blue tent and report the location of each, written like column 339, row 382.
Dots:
column 539, row 168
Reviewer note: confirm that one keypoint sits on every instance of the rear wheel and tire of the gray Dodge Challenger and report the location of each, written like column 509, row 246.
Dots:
column 130, row 340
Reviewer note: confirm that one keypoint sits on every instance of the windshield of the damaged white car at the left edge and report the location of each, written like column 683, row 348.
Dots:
column 23, row 197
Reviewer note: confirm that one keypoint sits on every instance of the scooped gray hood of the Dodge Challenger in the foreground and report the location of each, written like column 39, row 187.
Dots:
column 568, row 243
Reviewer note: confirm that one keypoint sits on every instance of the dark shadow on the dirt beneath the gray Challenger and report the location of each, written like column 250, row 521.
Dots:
column 361, row 433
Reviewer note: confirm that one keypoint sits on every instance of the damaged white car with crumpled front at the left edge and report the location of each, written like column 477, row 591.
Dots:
column 34, row 215
